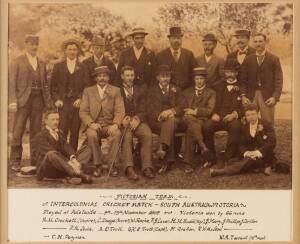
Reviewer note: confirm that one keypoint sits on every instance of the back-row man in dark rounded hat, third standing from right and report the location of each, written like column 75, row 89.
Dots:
column 213, row 63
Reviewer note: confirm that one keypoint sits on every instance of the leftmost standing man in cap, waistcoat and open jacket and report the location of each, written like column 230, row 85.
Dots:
column 29, row 92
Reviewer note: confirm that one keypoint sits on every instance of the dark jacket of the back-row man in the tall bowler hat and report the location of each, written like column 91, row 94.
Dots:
column 182, row 71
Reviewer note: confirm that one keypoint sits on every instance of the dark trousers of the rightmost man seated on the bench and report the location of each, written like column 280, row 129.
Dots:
column 234, row 129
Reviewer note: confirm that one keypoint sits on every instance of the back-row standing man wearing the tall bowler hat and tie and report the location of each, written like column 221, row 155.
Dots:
column 180, row 60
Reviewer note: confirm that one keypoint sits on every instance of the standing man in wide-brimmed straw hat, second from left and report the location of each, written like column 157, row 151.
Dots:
column 69, row 78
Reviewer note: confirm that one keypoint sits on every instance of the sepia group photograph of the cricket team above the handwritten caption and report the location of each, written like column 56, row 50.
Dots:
column 150, row 95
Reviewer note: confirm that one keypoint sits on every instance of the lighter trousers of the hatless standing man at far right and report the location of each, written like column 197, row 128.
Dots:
column 266, row 112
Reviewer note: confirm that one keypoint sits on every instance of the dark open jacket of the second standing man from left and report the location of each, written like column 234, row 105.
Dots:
column 59, row 80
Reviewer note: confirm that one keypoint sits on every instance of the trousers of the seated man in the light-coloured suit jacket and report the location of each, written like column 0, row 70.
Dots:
column 94, row 142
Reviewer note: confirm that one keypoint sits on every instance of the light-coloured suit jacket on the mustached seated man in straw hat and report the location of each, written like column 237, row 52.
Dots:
column 111, row 105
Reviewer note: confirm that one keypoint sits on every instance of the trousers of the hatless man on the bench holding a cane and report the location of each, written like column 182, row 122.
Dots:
column 144, row 135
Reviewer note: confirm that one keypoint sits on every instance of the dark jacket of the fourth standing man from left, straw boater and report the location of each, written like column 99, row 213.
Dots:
column 144, row 66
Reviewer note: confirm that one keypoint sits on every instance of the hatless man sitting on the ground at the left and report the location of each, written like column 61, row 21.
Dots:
column 55, row 157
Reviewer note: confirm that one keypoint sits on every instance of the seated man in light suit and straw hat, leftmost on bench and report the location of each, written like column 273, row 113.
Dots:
column 102, row 111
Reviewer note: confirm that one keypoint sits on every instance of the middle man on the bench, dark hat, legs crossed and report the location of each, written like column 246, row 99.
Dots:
column 163, row 114
